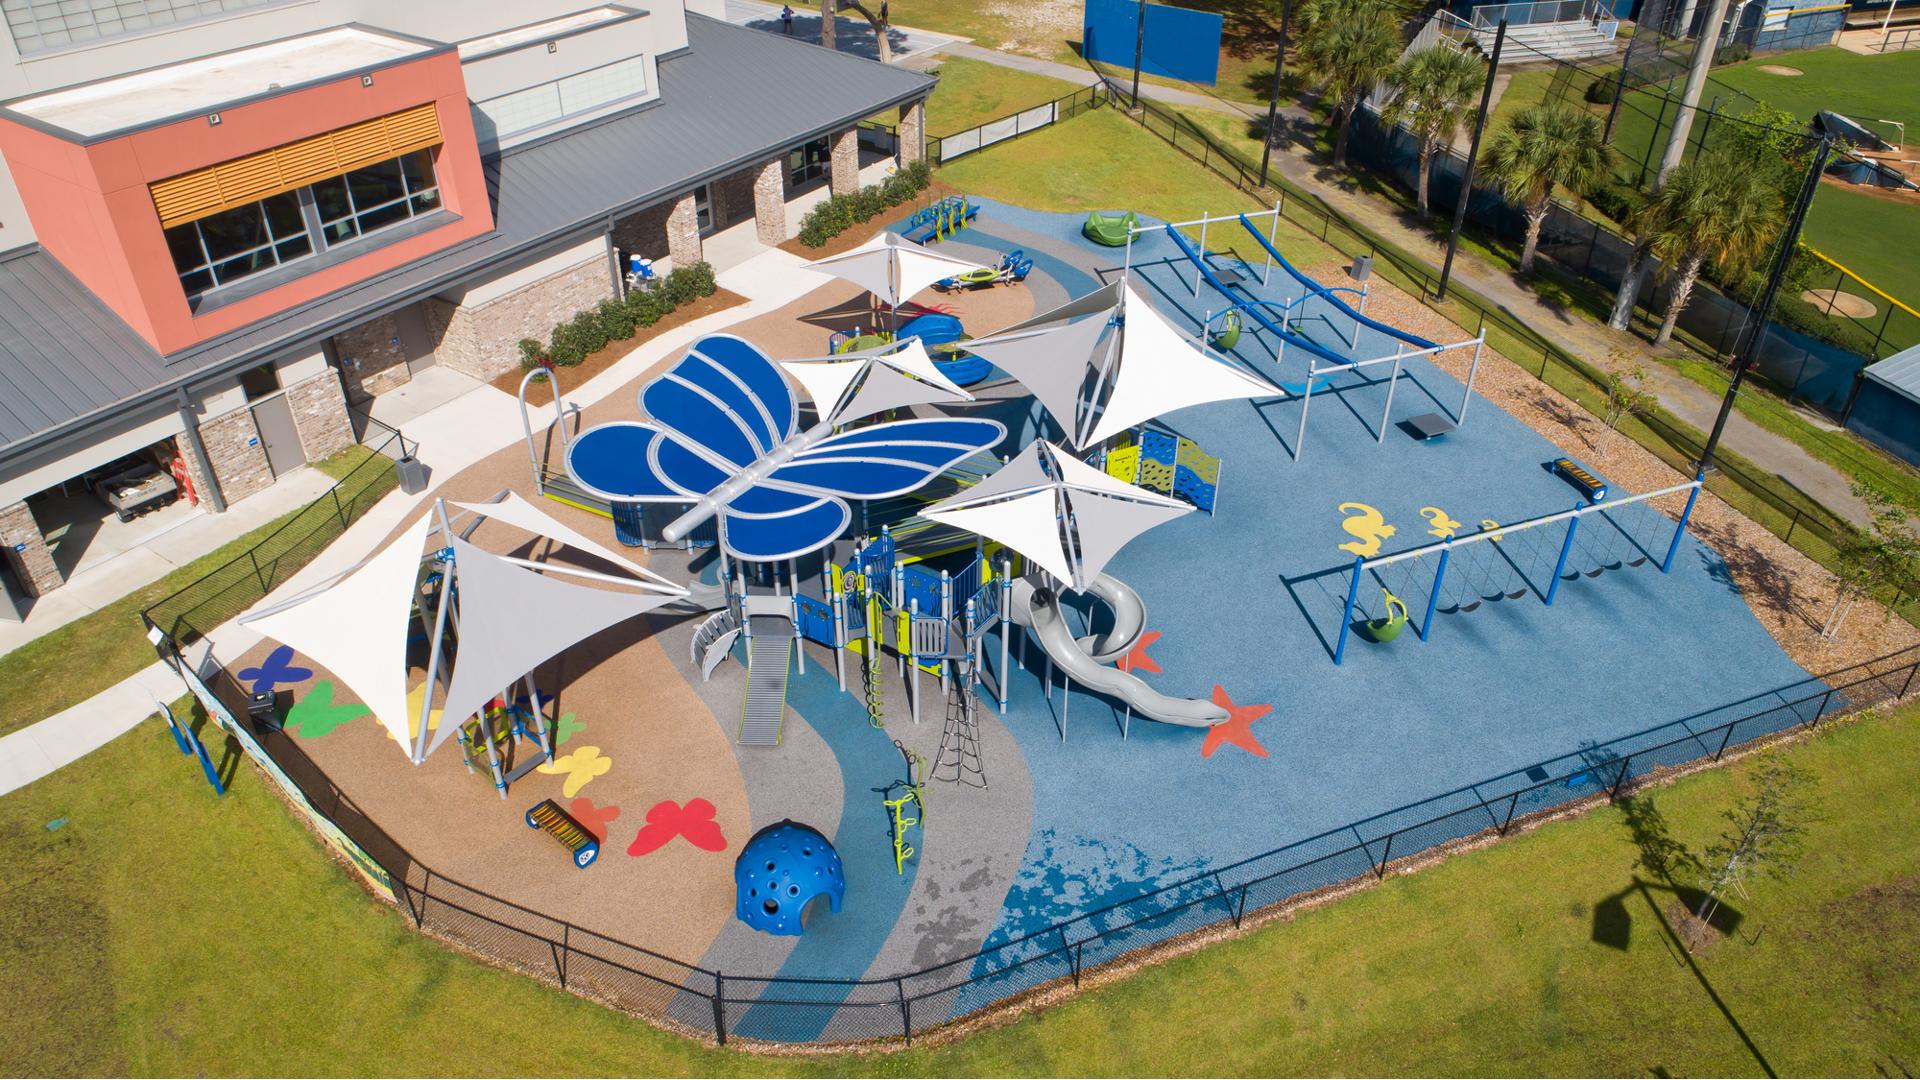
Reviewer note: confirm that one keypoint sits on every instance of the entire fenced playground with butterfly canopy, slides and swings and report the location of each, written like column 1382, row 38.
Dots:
column 1308, row 579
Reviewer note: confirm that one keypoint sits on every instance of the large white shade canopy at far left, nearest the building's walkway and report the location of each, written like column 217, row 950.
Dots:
column 512, row 620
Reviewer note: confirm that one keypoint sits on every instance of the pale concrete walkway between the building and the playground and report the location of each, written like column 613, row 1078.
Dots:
column 452, row 437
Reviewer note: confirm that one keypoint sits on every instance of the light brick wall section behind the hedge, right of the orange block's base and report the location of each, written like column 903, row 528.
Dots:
column 487, row 341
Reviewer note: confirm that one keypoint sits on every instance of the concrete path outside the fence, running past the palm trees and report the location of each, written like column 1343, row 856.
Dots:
column 1568, row 330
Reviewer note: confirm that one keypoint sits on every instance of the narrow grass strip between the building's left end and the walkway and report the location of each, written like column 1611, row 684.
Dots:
column 84, row 658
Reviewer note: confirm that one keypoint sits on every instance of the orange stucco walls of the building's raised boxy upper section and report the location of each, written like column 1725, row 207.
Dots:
column 91, row 205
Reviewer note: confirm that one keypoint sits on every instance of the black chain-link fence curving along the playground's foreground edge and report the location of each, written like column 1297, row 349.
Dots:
column 784, row 1010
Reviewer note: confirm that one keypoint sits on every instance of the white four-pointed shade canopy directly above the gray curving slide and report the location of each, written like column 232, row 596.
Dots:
column 1059, row 512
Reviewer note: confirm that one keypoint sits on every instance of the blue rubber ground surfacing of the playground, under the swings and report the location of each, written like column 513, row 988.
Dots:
column 1249, row 601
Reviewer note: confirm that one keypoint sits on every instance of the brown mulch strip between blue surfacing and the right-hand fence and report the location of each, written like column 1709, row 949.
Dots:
column 1788, row 593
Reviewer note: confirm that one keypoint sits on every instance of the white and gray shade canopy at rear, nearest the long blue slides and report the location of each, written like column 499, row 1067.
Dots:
column 1138, row 364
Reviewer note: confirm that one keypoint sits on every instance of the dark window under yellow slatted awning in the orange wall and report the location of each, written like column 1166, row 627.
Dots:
column 279, row 230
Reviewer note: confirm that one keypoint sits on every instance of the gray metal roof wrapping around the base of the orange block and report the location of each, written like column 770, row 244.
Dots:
column 727, row 101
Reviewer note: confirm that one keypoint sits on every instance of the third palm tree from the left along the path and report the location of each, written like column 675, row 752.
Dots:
column 1539, row 149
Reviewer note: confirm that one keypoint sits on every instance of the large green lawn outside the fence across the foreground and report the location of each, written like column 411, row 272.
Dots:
column 166, row 931
